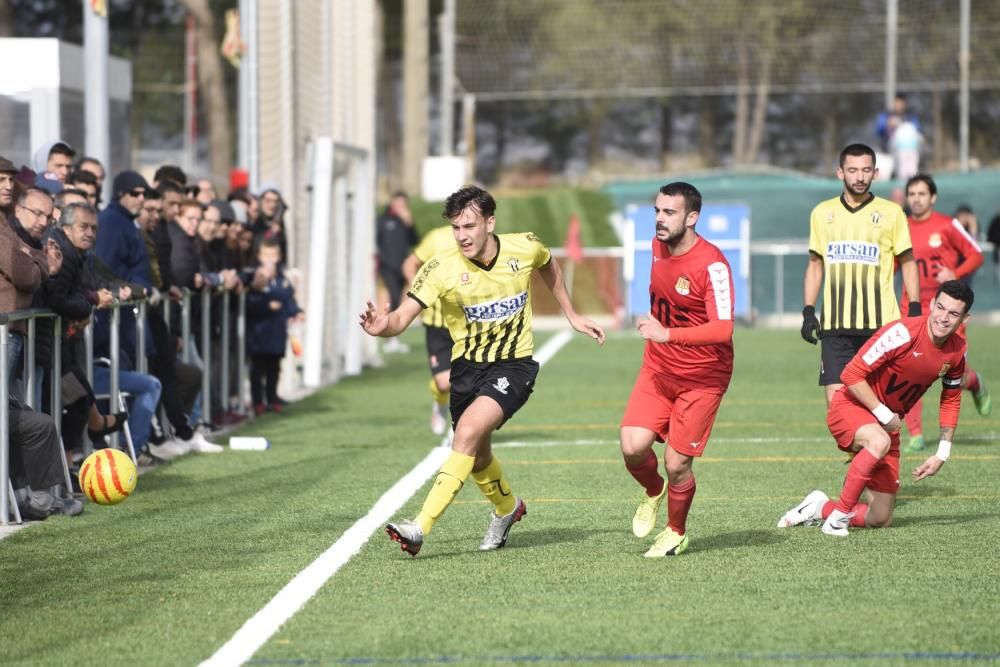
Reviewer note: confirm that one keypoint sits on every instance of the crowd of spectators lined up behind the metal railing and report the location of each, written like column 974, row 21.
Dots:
column 63, row 249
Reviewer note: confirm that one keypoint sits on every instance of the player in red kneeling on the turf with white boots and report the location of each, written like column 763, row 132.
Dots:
column 881, row 383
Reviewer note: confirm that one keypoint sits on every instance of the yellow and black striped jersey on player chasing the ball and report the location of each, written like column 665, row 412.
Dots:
column 487, row 308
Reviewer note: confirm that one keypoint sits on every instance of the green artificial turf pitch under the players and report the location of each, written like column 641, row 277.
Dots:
column 167, row 577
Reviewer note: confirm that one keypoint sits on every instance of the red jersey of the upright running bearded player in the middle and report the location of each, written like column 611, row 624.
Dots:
column 686, row 291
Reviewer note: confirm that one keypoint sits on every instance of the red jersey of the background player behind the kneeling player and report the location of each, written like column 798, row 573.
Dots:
column 941, row 242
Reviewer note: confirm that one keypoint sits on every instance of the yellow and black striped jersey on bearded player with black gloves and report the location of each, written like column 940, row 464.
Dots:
column 858, row 247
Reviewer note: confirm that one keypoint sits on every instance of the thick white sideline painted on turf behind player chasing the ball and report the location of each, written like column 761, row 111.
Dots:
column 262, row 626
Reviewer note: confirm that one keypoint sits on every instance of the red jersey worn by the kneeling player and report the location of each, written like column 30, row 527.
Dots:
column 901, row 362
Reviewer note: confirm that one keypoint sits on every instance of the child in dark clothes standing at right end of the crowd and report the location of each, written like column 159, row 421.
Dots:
column 270, row 304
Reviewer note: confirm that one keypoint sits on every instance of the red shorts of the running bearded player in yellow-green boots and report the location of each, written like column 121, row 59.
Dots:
column 682, row 418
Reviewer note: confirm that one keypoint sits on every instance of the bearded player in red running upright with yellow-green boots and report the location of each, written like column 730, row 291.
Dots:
column 685, row 369
